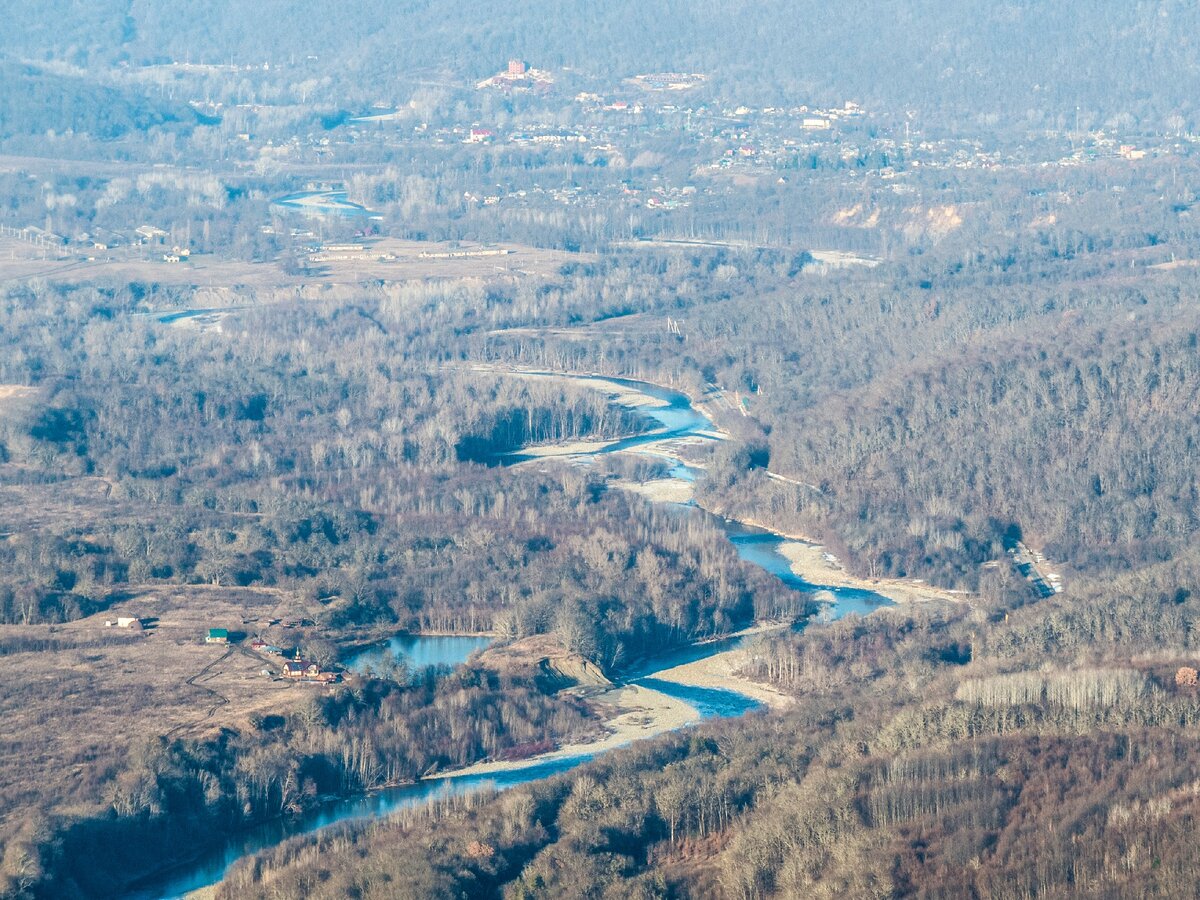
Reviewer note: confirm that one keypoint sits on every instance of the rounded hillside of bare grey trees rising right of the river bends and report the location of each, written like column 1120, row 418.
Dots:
column 1073, row 433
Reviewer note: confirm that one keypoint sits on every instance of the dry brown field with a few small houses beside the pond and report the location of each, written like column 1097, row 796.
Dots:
column 82, row 697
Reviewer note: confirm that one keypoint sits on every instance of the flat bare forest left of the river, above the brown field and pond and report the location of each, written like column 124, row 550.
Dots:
column 349, row 473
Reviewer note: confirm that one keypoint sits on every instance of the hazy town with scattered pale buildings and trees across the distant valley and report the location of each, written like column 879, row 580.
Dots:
column 652, row 155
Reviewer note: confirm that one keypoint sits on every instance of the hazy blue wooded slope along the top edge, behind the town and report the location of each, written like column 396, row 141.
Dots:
column 1025, row 62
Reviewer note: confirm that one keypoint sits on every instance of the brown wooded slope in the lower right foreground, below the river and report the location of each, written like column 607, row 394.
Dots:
column 1043, row 753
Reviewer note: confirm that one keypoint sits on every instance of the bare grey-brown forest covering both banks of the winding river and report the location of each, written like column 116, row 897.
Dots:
column 340, row 449
